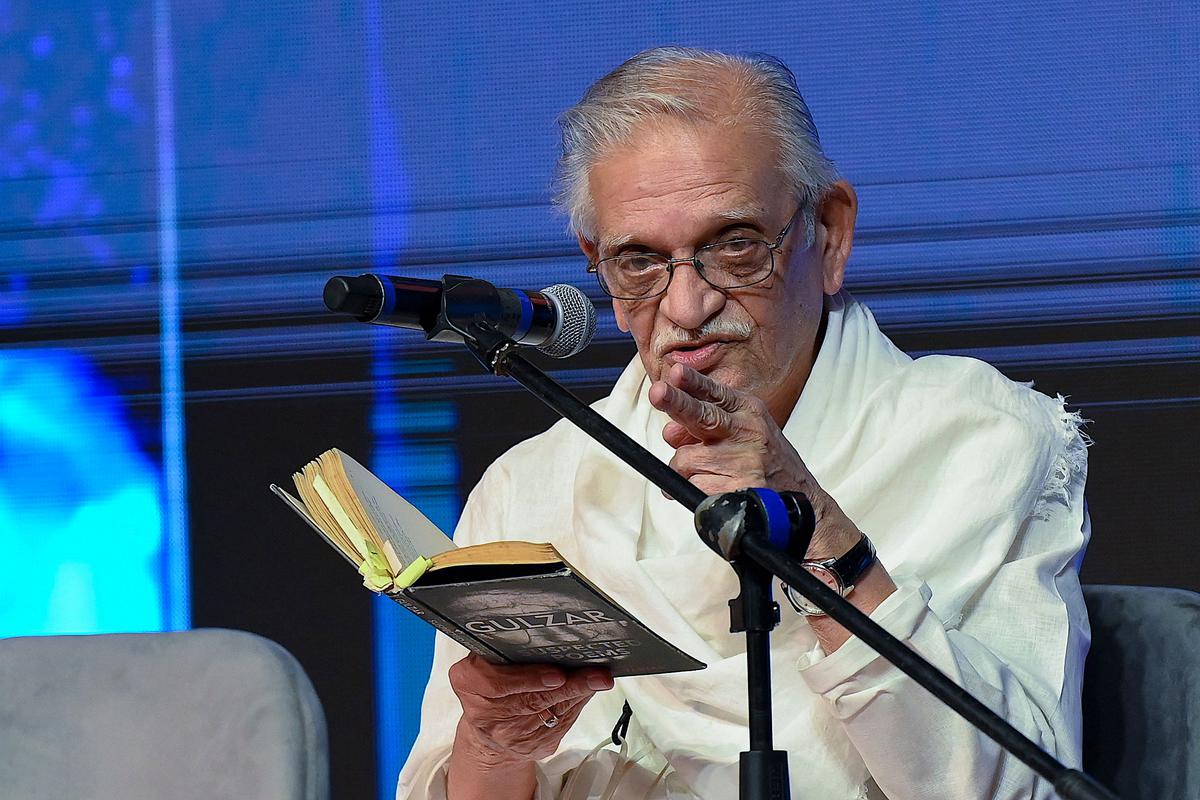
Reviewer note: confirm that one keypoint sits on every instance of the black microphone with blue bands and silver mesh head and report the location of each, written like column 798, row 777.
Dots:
column 560, row 321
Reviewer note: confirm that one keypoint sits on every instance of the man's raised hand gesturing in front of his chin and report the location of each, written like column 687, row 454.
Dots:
column 727, row 441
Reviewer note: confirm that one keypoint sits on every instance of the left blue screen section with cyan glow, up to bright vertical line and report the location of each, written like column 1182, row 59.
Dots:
column 85, row 500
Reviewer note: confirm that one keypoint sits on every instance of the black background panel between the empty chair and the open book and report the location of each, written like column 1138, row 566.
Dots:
column 256, row 567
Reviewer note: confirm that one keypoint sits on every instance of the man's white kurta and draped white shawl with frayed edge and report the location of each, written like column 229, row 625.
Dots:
column 970, row 486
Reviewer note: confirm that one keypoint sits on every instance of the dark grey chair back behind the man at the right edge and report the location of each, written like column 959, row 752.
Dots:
column 1142, row 693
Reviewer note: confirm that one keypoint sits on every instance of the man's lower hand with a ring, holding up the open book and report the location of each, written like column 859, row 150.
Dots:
column 503, row 708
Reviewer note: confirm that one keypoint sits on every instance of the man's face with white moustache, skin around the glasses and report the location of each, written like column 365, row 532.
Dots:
column 676, row 188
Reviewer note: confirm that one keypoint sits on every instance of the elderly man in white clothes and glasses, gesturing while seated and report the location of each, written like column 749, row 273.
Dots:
column 705, row 206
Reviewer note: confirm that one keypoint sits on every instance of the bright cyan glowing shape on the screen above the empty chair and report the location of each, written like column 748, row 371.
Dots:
column 80, row 504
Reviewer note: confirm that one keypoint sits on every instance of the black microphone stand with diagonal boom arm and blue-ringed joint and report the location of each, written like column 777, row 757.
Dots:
column 740, row 533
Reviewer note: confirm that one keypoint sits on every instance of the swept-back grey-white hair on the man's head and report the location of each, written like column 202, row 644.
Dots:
column 703, row 87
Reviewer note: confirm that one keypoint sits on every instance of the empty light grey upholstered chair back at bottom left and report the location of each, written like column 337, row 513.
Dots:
column 207, row 714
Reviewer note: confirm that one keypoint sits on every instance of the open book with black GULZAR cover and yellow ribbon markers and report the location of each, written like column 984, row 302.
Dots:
column 509, row 601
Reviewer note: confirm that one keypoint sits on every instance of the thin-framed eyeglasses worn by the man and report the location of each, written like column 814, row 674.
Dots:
column 729, row 264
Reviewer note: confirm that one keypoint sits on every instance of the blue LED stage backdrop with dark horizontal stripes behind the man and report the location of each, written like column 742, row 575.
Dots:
column 179, row 179
